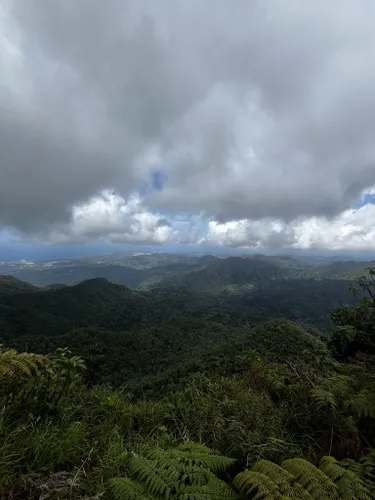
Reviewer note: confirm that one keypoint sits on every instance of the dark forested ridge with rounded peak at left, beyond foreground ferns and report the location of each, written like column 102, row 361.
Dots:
column 94, row 302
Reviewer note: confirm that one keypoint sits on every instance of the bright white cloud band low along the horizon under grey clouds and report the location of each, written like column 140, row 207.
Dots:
column 108, row 217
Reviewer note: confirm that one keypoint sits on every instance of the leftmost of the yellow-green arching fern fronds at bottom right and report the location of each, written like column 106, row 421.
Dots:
column 256, row 485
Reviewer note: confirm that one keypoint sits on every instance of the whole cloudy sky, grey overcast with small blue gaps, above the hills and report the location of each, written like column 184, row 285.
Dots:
column 173, row 124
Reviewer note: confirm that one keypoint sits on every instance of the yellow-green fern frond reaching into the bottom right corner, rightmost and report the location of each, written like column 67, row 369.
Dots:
column 348, row 483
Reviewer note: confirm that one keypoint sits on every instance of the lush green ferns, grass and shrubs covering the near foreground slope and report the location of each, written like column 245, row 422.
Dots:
column 270, row 424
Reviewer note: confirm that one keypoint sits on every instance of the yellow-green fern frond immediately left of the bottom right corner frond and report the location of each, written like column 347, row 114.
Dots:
column 311, row 478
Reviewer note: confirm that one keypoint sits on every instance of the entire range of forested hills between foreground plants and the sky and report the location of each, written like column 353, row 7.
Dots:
column 174, row 312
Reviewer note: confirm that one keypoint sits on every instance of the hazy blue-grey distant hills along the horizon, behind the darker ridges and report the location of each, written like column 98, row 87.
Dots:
column 202, row 273
